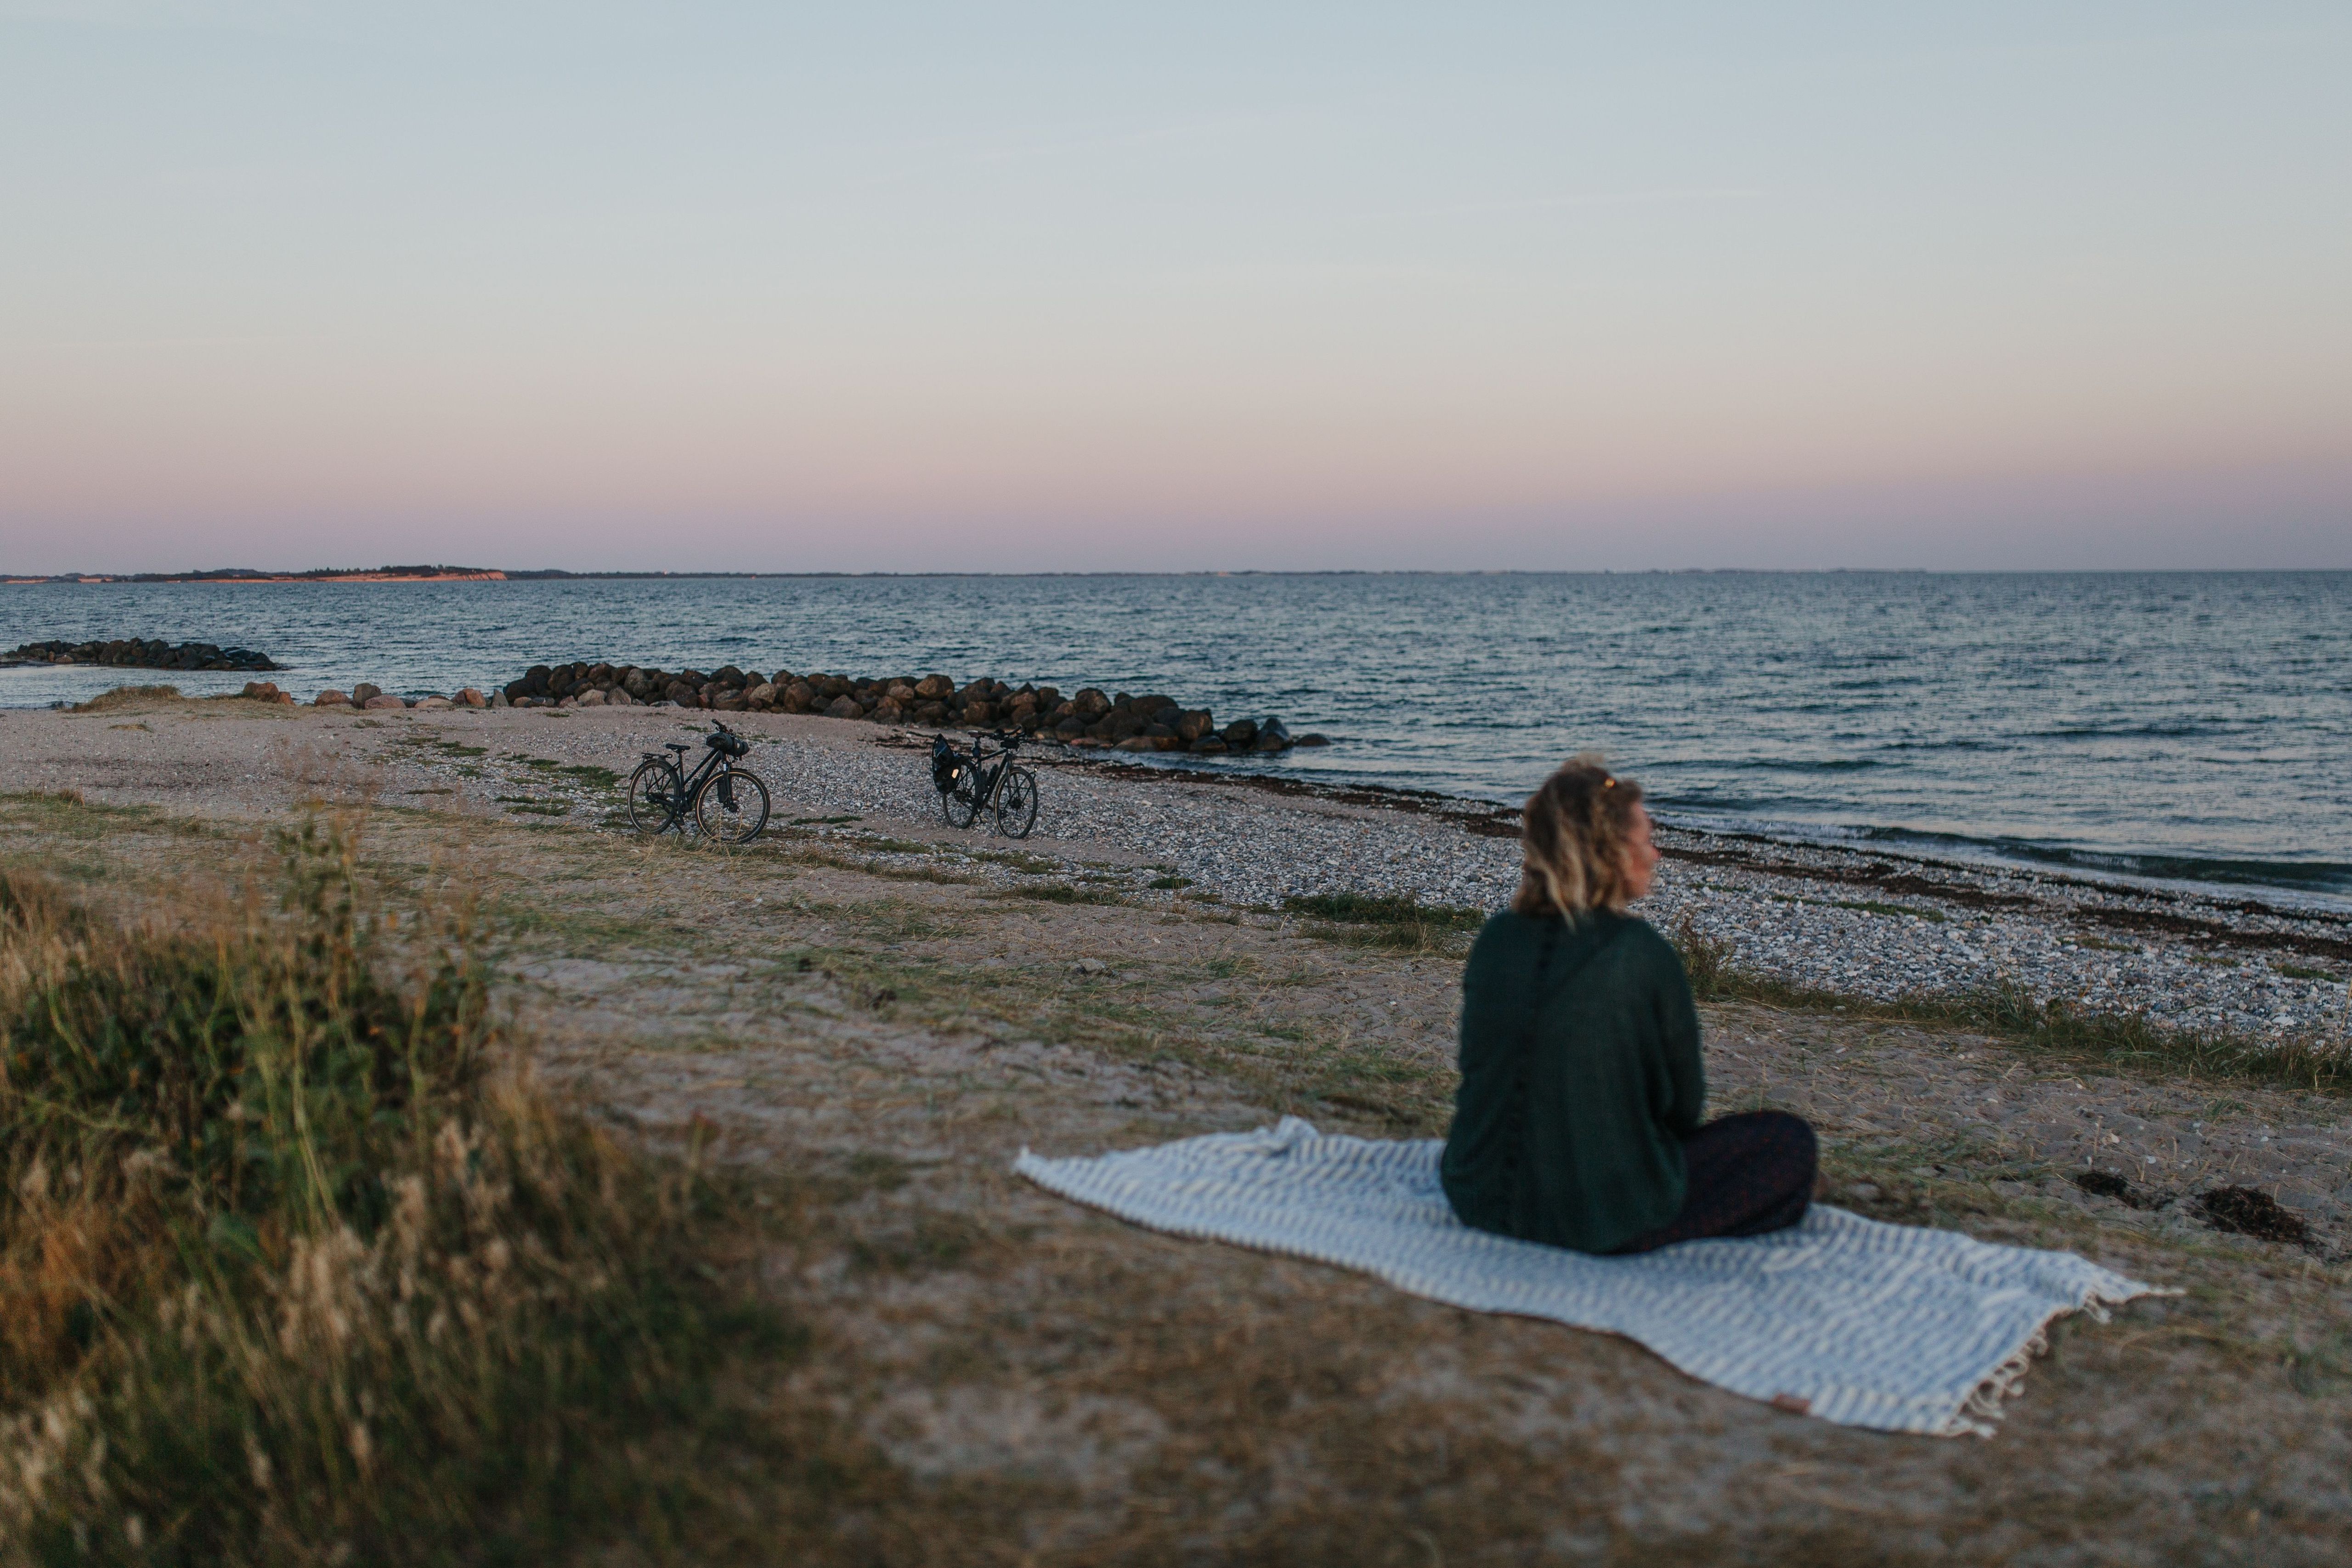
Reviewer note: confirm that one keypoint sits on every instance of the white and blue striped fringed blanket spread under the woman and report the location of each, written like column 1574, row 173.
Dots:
column 1850, row 1320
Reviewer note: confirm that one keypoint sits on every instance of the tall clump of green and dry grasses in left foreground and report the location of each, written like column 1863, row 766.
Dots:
column 300, row 1268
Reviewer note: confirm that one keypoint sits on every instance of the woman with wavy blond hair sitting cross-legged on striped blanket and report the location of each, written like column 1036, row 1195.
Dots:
column 1577, row 1120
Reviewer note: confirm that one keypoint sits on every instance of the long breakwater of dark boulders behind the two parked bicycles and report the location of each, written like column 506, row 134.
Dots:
column 1085, row 718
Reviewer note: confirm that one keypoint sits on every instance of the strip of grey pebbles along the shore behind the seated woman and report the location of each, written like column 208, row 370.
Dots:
column 1871, row 925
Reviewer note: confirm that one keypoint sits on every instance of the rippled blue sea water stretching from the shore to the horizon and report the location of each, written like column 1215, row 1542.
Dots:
column 2156, row 725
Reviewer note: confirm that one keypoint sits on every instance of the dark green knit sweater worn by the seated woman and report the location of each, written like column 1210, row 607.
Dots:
column 1577, row 1090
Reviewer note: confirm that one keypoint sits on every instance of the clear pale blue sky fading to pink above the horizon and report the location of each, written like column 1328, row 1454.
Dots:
column 895, row 288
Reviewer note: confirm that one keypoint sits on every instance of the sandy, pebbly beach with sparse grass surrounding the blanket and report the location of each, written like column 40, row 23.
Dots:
column 897, row 1007
